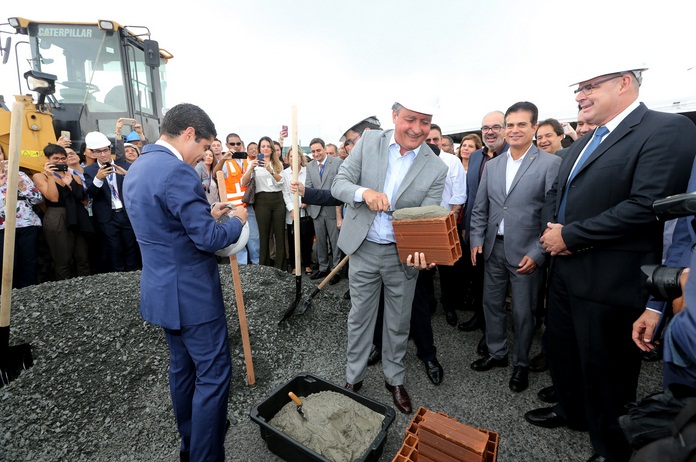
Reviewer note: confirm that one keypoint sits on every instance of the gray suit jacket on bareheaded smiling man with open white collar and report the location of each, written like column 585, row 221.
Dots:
column 520, row 207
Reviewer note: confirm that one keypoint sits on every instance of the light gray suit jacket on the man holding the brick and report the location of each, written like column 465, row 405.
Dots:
column 366, row 166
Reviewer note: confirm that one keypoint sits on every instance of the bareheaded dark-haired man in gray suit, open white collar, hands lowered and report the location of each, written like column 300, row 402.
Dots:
column 505, row 227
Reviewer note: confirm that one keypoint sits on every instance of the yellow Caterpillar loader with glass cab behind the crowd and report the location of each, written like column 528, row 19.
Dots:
column 86, row 76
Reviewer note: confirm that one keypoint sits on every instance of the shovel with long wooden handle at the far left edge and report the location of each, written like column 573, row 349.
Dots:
column 13, row 359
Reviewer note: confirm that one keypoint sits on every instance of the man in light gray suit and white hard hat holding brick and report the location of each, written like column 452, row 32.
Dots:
column 385, row 171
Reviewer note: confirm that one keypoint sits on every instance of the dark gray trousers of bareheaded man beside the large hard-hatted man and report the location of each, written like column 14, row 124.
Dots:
column 524, row 289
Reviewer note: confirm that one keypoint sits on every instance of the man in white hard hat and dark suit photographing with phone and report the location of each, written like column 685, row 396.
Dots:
column 104, row 181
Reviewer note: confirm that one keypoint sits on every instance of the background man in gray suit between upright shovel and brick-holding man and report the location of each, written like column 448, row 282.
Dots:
column 320, row 175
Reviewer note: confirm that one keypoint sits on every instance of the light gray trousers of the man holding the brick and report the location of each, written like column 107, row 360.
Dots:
column 371, row 266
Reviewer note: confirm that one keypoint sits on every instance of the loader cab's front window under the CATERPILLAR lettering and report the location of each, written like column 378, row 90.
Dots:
column 87, row 62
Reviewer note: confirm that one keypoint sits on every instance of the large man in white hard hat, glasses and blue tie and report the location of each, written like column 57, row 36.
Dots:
column 600, row 228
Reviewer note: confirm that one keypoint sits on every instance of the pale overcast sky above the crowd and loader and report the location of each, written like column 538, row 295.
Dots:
column 247, row 62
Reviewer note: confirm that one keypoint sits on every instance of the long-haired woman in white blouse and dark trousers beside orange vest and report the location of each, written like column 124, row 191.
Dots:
column 269, row 204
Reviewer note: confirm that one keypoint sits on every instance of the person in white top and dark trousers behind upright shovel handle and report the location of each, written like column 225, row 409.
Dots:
column 306, row 224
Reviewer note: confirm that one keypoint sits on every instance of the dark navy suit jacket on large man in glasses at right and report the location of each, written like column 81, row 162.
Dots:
column 610, row 224
